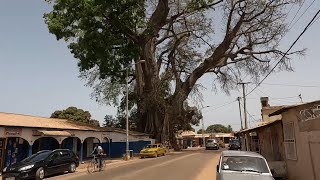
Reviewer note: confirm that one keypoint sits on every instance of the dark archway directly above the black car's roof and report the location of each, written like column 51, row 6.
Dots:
column 45, row 143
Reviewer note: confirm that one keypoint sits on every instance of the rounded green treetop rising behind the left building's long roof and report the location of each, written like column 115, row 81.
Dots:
column 75, row 114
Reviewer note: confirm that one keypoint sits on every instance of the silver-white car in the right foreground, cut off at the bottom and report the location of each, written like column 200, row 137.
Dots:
column 243, row 165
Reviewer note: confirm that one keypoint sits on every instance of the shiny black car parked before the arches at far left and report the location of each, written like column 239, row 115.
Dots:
column 42, row 164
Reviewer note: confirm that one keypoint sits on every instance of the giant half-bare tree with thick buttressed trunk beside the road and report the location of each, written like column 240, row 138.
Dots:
column 179, row 41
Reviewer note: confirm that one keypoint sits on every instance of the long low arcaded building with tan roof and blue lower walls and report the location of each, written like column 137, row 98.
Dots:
column 24, row 135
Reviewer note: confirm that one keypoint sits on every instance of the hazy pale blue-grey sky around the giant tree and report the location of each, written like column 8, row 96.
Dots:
column 39, row 75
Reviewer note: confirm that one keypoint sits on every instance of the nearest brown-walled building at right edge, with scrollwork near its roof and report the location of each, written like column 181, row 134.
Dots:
column 301, row 138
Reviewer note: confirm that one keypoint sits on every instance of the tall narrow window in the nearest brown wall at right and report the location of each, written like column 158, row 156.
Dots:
column 289, row 141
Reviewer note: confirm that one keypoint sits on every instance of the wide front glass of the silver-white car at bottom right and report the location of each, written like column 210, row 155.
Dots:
column 244, row 164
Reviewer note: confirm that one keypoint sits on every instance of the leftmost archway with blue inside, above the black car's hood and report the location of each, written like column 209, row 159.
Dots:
column 16, row 150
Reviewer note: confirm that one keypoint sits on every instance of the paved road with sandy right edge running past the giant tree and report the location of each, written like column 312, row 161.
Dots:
column 194, row 165
